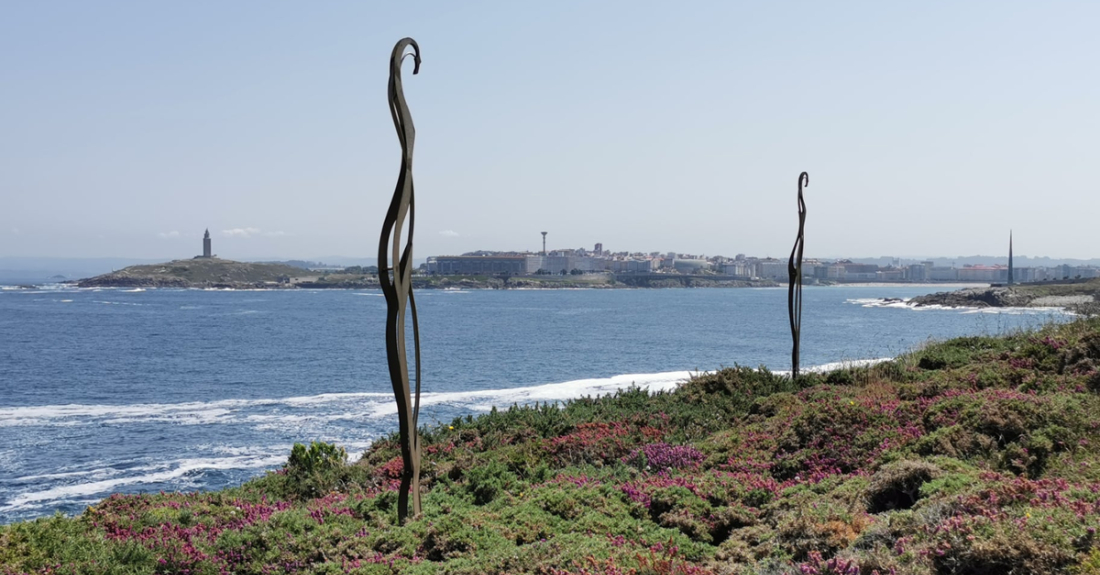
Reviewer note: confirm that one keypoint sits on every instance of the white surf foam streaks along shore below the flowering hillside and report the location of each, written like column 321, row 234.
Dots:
column 100, row 481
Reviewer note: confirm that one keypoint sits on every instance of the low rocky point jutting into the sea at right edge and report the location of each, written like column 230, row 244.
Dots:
column 1071, row 294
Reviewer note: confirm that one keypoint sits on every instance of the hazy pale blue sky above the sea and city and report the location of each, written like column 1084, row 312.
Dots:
column 928, row 129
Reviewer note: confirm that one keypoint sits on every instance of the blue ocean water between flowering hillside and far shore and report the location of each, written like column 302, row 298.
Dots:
column 147, row 391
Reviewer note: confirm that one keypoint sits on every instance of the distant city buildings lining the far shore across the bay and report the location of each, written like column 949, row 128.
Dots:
column 581, row 261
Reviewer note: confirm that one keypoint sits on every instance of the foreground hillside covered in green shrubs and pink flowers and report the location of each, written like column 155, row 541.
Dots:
column 976, row 456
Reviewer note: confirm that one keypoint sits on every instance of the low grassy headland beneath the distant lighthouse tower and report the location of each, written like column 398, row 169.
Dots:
column 211, row 272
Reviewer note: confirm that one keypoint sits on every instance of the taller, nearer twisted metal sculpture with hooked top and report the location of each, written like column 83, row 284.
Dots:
column 395, row 275
